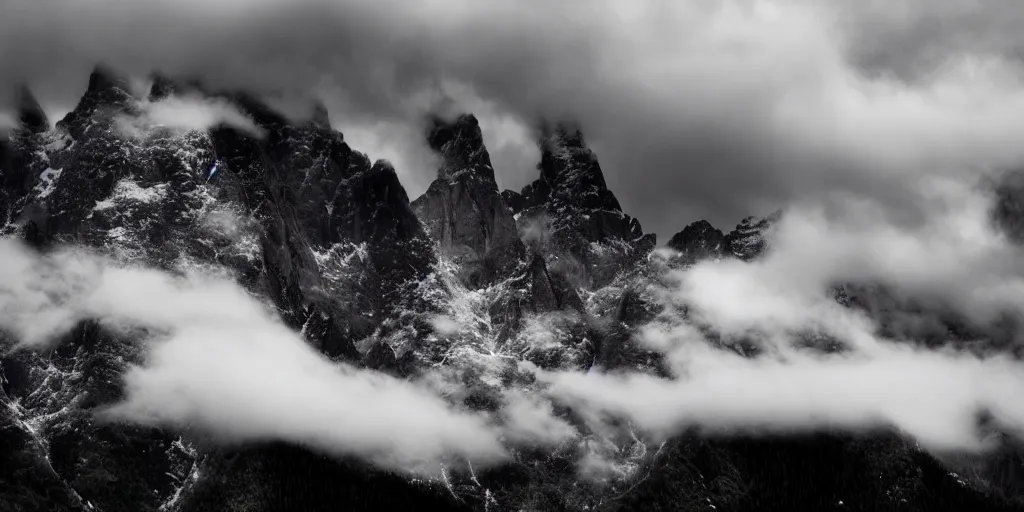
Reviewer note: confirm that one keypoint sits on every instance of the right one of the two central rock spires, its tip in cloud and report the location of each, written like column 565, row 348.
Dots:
column 572, row 212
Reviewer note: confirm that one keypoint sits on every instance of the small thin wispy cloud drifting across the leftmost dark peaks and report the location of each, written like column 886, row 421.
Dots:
column 186, row 113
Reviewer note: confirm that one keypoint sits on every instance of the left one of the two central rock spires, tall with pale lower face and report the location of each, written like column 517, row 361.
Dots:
column 463, row 209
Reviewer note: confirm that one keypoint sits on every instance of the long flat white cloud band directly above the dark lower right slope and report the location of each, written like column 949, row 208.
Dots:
column 935, row 399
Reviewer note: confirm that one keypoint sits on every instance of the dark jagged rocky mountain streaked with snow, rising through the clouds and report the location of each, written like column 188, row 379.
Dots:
column 465, row 280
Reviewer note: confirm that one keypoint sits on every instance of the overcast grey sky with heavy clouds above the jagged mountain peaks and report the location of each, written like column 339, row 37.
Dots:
column 705, row 109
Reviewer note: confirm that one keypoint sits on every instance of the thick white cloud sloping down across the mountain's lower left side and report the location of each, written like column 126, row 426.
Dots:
column 220, row 362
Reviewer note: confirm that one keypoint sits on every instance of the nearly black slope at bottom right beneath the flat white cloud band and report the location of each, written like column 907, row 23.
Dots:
column 836, row 474
